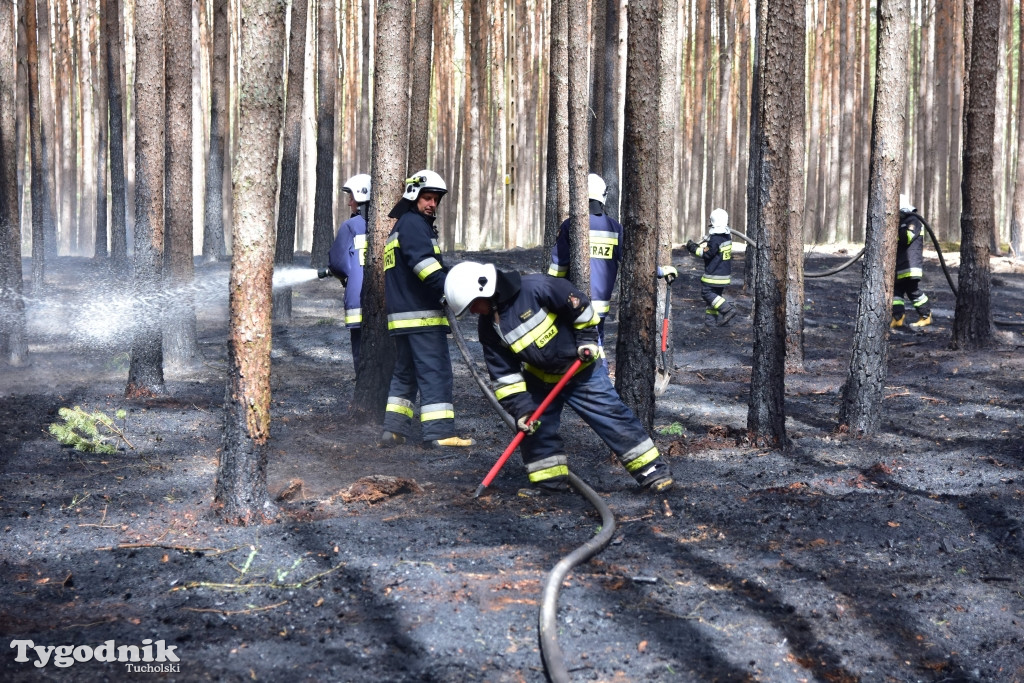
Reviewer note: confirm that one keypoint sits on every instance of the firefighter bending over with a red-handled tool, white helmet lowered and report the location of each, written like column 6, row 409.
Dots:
column 533, row 328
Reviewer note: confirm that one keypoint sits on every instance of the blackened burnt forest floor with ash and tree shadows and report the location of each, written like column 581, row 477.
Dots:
column 892, row 559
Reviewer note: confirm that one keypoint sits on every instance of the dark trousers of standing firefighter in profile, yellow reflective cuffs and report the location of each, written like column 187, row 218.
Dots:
column 422, row 366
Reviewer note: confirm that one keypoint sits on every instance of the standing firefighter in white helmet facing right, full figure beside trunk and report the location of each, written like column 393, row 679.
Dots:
column 414, row 285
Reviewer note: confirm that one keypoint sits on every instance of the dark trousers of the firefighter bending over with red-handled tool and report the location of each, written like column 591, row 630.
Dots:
column 594, row 399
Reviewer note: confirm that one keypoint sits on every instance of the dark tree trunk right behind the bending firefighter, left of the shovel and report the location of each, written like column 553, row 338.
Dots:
column 635, row 353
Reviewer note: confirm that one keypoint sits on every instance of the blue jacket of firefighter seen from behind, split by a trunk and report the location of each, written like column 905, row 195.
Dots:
column 606, row 252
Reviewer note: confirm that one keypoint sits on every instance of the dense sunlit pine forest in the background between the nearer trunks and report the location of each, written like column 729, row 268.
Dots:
column 488, row 115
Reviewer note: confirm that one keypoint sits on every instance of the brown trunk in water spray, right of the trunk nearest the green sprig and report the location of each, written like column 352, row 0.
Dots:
column 181, row 347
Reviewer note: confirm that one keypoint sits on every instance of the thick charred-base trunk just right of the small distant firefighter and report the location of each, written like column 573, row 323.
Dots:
column 781, row 115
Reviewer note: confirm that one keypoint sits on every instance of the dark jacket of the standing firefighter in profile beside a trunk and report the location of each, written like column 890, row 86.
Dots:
column 414, row 276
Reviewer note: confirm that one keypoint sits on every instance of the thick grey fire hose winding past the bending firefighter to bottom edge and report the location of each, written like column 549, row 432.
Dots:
column 548, row 627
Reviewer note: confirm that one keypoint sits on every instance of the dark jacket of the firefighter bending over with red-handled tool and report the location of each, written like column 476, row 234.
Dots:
column 541, row 323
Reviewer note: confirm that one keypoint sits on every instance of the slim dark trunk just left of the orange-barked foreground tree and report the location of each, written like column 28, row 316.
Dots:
column 214, row 214
